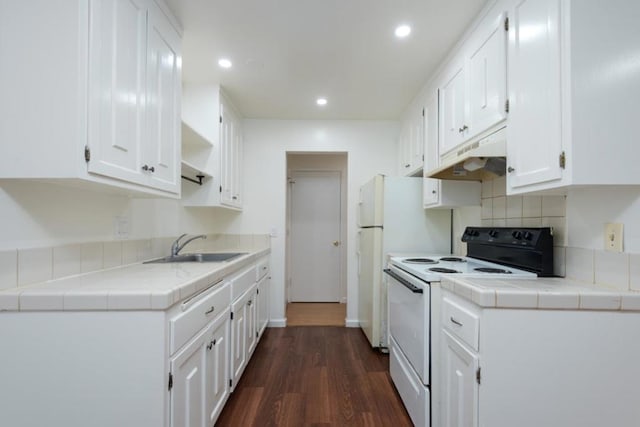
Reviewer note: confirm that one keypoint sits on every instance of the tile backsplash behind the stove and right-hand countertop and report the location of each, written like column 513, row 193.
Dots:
column 599, row 267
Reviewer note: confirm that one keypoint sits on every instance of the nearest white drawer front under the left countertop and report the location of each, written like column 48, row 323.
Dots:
column 185, row 325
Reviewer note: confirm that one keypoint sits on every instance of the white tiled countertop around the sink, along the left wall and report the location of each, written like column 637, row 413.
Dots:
column 132, row 287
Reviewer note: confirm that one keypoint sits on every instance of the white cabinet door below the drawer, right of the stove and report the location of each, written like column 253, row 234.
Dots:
column 459, row 386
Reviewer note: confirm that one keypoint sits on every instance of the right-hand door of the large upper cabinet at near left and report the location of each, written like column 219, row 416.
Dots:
column 163, row 102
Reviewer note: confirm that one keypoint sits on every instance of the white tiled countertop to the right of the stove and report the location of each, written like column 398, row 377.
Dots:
column 544, row 293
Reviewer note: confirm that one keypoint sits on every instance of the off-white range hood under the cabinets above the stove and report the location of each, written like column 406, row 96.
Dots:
column 474, row 159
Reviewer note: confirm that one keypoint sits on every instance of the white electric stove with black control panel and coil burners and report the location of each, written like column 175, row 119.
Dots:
column 522, row 253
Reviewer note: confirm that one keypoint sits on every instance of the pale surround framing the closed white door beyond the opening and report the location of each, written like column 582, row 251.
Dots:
column 318, row 162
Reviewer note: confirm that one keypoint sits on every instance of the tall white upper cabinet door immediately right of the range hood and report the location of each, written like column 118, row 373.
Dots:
column 534, row 139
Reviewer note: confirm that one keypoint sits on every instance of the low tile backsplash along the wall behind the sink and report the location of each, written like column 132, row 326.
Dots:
column 21, row 267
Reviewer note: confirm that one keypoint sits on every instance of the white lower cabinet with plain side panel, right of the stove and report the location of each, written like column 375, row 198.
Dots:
column 505, row 367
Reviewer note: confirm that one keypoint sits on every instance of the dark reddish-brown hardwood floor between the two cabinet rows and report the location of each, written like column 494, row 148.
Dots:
column 315, row 376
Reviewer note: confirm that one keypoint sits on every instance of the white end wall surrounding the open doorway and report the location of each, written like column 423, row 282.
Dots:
column 371, row 148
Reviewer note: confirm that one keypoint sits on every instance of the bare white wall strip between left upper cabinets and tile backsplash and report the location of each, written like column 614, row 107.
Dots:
column 38, row 214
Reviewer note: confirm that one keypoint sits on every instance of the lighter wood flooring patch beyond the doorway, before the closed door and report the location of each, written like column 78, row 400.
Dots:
column 316, row 314
